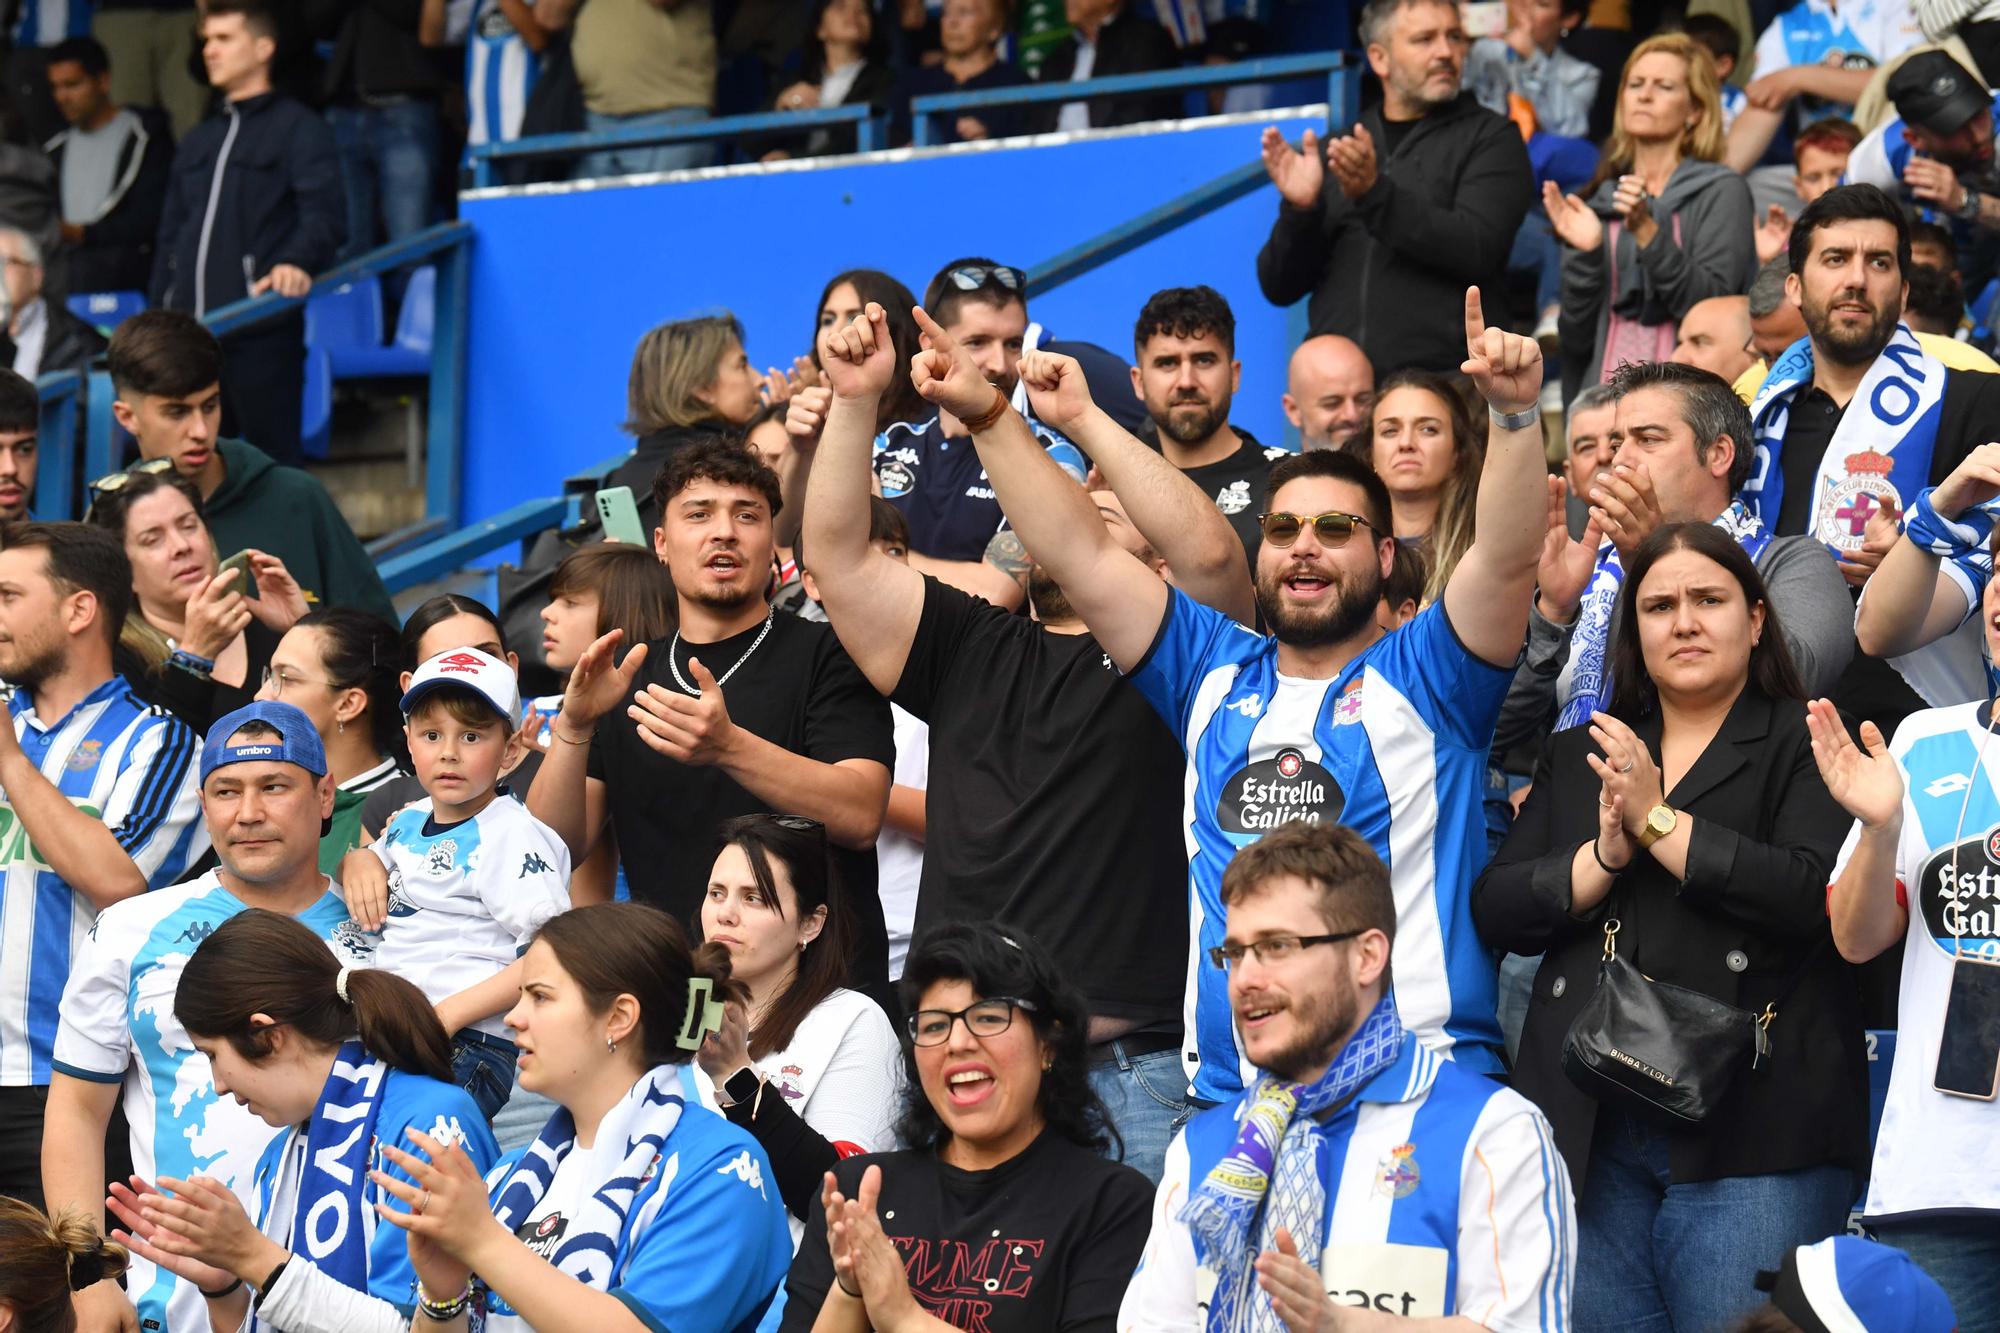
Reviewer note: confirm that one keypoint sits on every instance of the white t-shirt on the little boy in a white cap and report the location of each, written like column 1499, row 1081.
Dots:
column 465, row 900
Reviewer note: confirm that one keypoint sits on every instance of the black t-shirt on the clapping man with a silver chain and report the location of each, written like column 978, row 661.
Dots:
column 799, row 692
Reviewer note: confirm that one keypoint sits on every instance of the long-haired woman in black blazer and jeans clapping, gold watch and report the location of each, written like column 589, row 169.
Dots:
column 1689, row 834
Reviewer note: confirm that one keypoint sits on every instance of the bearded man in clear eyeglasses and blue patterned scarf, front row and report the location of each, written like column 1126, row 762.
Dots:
column 1357, row 1166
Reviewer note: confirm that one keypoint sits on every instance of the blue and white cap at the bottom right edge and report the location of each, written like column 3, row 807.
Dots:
column 1853, row 1286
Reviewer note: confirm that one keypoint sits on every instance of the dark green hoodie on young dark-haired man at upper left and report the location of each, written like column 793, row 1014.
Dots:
column 287, row 513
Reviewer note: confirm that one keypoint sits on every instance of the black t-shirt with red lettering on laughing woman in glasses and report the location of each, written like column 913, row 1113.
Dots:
column 1041, row 1244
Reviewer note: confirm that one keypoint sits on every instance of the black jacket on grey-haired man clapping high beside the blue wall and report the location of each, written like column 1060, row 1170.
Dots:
column 1393, row 267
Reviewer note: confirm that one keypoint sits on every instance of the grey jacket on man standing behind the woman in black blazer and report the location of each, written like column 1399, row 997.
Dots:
column 1807, row 593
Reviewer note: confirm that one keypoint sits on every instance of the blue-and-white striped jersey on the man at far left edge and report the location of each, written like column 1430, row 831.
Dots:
column 131, row 766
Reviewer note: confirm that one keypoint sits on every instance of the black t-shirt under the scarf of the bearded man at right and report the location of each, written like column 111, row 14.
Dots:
column 1871, row 688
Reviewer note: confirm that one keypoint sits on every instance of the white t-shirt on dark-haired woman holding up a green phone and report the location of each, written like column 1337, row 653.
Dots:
column 841, row 1076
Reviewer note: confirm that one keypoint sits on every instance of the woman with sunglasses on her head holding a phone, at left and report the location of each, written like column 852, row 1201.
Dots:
column 199, row 637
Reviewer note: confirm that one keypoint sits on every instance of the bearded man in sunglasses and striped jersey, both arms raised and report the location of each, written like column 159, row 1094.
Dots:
column 1325, row 720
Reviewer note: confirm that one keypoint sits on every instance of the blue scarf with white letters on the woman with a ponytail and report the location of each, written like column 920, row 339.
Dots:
column 333, row 1222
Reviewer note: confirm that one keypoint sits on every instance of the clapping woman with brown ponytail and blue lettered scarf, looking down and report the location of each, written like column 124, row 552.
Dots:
column 343, row 1060
